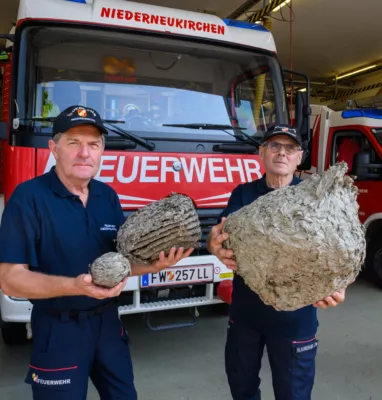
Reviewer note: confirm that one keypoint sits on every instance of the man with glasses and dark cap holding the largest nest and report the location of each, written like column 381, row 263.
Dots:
column 290, row 336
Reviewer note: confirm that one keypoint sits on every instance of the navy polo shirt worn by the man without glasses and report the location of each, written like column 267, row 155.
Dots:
column 47, row 227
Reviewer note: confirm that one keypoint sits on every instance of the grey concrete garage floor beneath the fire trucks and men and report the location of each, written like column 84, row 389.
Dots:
column 187, row 364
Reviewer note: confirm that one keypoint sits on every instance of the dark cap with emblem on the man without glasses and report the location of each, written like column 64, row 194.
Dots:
column 77, row 115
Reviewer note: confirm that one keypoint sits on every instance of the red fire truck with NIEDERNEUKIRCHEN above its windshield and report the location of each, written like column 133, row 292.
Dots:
column 185, row 97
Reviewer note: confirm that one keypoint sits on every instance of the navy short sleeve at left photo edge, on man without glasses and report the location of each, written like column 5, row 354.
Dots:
column 19, row 234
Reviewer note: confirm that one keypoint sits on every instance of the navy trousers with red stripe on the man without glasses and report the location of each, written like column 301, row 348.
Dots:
column 67, row 351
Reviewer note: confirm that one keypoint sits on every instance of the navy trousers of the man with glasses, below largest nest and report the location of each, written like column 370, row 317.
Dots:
column 292, row 364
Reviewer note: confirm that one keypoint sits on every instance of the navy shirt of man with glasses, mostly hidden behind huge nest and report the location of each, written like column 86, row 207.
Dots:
column 247, row 308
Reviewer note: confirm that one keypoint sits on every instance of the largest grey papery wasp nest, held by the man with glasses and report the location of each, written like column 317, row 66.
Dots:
column 298, row 244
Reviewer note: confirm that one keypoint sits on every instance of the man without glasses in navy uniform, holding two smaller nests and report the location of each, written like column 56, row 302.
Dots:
column 52, row 229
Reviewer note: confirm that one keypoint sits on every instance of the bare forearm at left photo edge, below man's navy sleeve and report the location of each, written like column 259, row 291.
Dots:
column 23, row 283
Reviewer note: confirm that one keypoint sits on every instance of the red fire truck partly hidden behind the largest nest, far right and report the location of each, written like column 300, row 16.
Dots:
column 354, row 136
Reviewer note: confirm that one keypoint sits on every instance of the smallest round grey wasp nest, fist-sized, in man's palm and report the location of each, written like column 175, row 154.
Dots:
column 109, row 269
